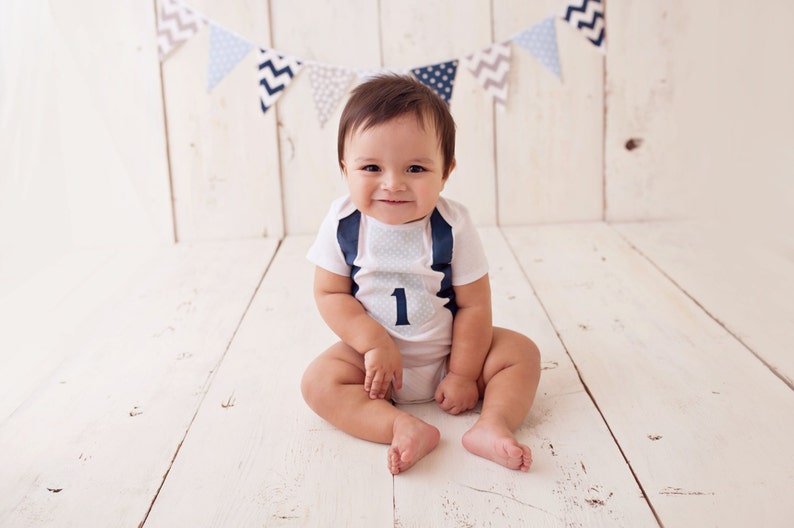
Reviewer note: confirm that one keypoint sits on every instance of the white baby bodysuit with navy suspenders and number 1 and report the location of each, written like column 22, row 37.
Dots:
column 403, row 276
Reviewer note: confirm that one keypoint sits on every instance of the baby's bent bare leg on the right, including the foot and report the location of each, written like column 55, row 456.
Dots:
column 510, row 377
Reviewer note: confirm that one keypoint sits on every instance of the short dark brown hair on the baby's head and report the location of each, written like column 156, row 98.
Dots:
column 386, row 97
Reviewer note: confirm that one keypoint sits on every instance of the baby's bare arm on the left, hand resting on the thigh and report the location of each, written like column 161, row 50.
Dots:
column 347, row 318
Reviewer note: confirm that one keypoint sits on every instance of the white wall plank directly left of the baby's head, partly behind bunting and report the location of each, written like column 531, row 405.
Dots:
column 341, row 33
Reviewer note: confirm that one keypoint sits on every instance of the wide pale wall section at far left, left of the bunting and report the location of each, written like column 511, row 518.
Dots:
column 101, row 129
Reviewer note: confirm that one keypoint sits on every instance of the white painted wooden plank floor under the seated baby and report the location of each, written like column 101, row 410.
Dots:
column 159, row 388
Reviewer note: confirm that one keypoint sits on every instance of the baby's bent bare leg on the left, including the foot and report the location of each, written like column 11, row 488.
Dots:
column 333, row 386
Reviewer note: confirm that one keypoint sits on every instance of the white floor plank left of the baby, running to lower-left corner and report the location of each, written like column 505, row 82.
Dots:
column 97, row 438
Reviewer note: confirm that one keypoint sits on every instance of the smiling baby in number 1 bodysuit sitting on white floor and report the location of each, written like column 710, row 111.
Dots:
column 402, row 279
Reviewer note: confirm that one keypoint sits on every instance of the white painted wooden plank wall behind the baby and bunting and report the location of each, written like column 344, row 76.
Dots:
column 101, row 146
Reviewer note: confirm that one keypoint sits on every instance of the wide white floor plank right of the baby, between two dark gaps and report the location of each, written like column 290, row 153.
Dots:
column 705, row 425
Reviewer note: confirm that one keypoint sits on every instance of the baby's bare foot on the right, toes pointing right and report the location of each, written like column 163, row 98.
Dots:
column 497, row 443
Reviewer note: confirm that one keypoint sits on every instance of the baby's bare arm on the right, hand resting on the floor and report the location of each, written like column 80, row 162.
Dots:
column 472, row 332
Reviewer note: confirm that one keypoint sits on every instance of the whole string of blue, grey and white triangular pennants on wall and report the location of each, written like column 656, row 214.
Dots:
column 178, row 22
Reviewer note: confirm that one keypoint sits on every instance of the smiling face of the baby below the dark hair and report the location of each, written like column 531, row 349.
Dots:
column 395, row 170
